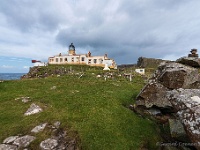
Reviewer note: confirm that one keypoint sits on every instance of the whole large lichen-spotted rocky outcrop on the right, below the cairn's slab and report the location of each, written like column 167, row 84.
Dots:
column 166, row 98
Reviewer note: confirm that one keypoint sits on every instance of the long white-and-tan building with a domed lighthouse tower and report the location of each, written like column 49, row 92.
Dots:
column 87, row 59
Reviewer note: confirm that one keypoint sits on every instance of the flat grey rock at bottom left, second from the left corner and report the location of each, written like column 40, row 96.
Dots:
column 24, row 141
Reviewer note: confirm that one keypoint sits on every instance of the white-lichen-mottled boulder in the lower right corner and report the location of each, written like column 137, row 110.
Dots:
column 187, row 105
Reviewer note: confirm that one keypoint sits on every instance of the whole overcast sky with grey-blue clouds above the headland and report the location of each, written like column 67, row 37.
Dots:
column 124, row 29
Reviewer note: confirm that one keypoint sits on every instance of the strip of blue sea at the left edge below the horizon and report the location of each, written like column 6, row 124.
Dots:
column 11, row 76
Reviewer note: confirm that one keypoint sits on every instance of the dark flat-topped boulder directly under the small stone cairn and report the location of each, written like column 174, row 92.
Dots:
column 190, row 61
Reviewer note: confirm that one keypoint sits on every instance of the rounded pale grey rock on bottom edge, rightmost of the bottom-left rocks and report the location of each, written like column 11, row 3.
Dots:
column 49, row 144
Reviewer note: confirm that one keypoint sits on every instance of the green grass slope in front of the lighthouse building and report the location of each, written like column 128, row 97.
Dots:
column 93, row 107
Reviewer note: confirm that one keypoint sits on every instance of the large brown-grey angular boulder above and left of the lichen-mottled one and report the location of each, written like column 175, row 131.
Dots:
column 170, row 75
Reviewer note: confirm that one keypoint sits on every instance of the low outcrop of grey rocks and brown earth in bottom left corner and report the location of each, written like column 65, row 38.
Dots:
column 58, row 139
